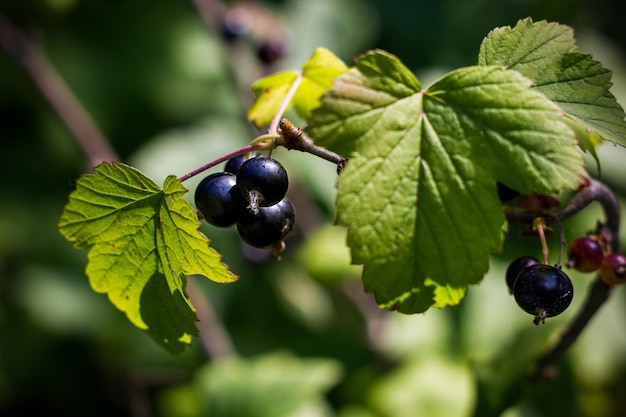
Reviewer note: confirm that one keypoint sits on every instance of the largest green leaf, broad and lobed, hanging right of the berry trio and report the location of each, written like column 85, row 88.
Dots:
column 418, row 193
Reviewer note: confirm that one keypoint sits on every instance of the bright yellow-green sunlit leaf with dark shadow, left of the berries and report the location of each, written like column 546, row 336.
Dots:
column 143, row 241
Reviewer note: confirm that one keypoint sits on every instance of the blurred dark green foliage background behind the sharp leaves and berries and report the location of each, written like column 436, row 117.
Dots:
column 300, row 338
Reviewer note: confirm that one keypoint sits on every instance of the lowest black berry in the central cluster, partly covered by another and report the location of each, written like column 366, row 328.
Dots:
column 269, row 226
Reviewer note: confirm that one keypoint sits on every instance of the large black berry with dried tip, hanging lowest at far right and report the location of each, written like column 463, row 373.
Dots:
column 543, row 291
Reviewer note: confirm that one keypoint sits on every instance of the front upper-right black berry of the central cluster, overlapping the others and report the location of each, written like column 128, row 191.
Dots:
column 264, row 177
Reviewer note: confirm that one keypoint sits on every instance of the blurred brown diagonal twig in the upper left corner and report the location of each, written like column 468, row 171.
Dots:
column 56, row 91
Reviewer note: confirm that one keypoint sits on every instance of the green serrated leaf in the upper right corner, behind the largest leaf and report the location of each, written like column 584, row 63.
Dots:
column 546, row 53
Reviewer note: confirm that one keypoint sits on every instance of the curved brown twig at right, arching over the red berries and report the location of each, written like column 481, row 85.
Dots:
column 599, row 292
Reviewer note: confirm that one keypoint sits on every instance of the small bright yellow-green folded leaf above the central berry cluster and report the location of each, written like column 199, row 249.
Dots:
column 315, row 78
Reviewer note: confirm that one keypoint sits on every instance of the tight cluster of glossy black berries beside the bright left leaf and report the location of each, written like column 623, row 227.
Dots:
column 250, row 193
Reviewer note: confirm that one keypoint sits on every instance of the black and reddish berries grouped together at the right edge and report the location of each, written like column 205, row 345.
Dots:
column 546, row 291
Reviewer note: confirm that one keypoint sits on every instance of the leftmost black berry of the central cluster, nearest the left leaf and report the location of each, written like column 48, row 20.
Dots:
column 219, row 200
